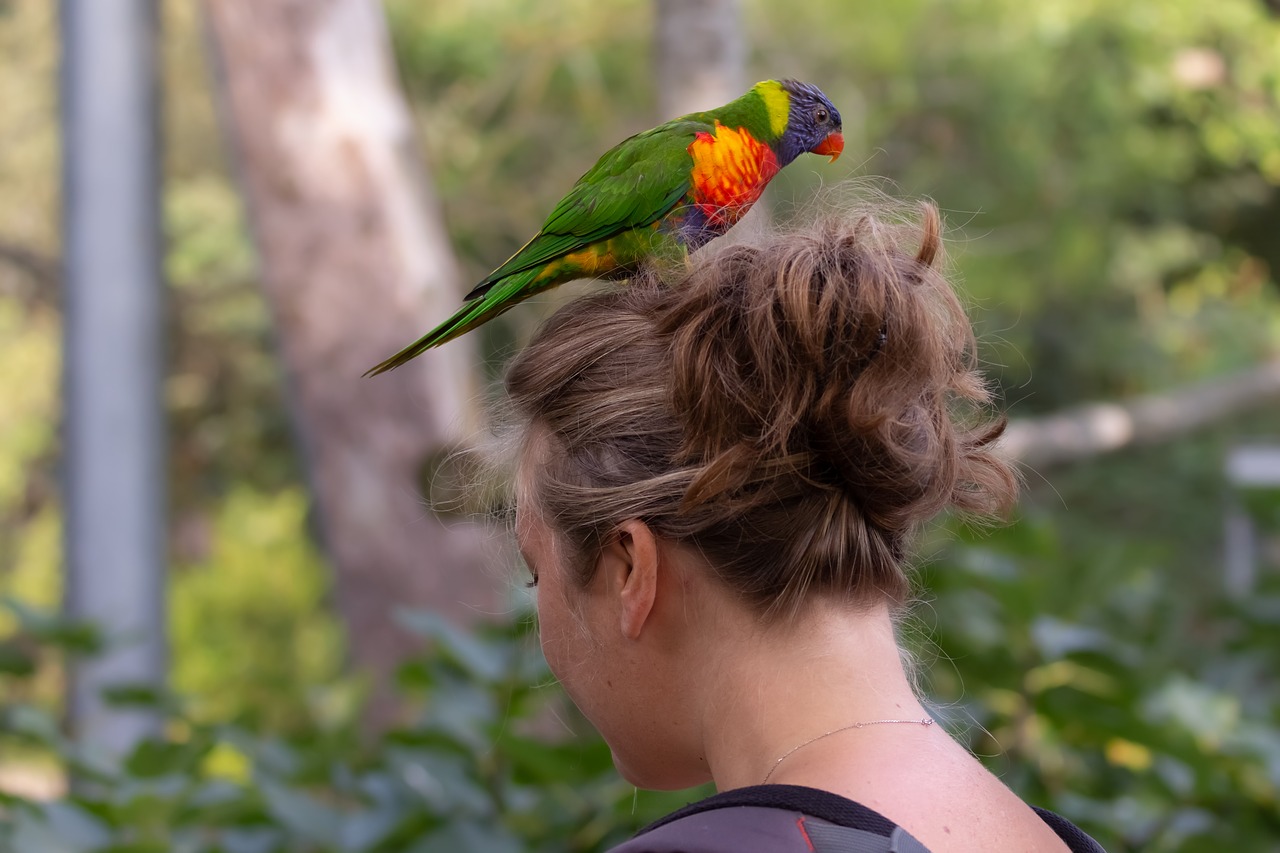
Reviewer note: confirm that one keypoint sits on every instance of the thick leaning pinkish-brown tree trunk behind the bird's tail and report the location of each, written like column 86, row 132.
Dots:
column 356, row 263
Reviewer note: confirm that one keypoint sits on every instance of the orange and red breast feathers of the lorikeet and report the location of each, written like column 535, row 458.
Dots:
column 732, row 170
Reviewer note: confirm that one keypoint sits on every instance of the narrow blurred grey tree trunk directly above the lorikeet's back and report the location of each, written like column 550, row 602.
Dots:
column 700, row 56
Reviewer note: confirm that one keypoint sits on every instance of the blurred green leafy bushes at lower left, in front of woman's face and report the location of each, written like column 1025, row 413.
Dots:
column 477, row 769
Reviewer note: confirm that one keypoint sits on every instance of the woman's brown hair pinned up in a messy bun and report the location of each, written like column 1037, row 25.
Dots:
column 794, row 409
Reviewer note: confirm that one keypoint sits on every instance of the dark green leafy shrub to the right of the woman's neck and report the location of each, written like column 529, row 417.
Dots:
column 1149, row 718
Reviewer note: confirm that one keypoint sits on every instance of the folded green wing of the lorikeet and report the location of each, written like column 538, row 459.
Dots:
column 634, row 185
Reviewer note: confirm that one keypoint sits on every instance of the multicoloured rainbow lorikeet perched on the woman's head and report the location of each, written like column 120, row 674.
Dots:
column 661, row 193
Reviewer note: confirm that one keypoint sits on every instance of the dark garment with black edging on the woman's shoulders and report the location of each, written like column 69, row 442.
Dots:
column 785, row 819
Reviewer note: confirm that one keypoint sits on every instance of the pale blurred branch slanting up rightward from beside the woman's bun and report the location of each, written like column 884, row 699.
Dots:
column 1094, row 430
